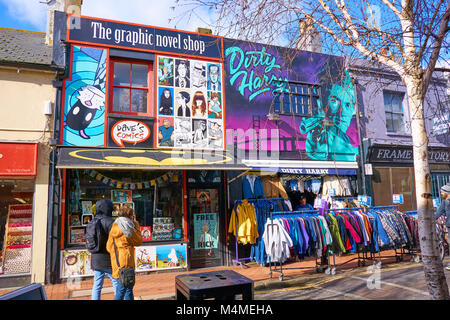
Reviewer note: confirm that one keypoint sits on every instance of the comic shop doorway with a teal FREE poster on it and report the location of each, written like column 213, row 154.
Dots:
column 205, row 209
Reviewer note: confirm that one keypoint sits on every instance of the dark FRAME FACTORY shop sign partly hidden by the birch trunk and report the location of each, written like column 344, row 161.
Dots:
column 406, row 155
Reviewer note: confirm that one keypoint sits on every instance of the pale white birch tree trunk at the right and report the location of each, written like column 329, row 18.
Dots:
column 433, row 267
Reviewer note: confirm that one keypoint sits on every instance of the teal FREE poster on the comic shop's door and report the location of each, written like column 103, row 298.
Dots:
column 205, row 231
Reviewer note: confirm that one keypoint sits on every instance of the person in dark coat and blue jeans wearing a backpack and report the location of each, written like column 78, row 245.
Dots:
column 97, row 232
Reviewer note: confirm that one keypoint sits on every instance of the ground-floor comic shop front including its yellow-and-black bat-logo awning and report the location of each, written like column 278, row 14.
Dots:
column 181, row 207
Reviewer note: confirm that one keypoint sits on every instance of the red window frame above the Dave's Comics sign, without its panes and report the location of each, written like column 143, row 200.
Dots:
column 149, row 88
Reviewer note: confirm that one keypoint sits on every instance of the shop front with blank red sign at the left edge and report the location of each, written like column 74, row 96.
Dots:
column 18, row 168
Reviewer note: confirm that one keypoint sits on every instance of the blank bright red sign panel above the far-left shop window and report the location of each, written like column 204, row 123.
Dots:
column 18, row 159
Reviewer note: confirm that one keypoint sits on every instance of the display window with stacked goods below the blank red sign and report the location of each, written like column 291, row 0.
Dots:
column 16, row 226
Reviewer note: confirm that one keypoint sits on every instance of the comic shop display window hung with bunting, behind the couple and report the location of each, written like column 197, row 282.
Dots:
column 154, row 195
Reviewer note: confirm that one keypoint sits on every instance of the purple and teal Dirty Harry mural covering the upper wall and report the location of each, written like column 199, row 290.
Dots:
column 299, row 104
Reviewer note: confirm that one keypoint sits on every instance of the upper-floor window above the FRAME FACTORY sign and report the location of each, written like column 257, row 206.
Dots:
column 393, row 106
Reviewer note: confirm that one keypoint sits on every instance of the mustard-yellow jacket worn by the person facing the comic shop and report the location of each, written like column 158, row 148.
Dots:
column 125, row 247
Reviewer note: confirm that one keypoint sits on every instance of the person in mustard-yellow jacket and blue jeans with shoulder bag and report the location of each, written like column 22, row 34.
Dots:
column 124, row 236
